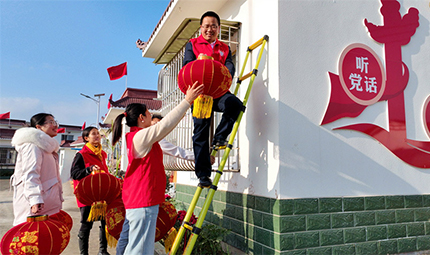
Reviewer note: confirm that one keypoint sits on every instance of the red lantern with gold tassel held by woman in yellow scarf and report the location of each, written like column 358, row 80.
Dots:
column 98, row 190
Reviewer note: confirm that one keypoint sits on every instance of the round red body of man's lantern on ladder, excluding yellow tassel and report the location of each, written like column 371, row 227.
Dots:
column 214, row 75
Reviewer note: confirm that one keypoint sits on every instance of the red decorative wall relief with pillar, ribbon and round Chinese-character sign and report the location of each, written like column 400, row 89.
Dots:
column 362, row 81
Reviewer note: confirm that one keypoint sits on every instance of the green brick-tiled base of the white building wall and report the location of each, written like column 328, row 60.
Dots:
column 340, row 225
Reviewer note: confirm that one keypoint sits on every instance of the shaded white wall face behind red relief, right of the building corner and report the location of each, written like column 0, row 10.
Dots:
column 316, row 161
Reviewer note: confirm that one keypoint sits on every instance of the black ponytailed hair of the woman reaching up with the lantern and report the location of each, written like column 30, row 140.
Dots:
column 132, row 113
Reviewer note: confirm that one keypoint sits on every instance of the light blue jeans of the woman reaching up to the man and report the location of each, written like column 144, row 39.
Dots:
column 142, row 225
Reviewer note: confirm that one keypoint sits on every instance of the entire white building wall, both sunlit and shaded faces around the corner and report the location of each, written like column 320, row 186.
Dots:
column 285, row 153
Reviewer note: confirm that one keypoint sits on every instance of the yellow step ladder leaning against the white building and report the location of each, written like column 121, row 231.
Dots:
column 195, row 230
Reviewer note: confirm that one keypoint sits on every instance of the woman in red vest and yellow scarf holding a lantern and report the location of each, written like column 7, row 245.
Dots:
column 90, row 158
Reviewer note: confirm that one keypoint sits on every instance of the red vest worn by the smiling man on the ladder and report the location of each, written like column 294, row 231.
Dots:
column 219, row 52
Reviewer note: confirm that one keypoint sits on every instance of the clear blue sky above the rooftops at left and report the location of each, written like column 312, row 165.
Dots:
column 51, row 51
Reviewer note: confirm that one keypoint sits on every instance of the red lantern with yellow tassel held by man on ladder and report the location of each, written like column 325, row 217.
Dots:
column 214, row 75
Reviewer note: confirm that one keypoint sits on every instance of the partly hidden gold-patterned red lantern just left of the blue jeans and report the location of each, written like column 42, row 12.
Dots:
column 115, row 216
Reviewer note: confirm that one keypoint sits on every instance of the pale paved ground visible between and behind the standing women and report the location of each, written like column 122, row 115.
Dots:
column 69, row 205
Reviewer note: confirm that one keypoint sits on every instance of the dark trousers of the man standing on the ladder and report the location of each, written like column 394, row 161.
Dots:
column 231, row 107
